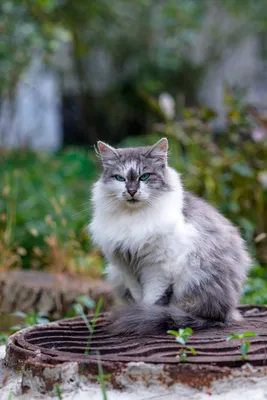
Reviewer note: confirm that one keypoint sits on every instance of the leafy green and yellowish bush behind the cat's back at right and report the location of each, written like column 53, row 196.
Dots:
column 228, row 169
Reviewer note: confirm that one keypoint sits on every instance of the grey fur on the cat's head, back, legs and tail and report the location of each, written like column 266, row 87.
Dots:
column 219, row 252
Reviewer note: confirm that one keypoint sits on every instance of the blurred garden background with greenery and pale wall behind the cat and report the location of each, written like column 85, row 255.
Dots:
column 128, row 72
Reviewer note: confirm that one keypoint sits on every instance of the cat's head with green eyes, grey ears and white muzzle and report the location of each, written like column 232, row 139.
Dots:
column 134, row 176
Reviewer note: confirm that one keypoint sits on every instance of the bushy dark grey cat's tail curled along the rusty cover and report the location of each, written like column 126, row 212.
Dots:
column 149, row 320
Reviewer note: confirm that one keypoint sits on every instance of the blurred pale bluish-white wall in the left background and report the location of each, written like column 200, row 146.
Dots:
column 34, row 117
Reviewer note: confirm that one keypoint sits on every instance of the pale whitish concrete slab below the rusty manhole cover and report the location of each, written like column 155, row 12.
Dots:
column 237, row 389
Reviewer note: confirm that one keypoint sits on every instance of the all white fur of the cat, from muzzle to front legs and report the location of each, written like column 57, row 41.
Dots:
column 155, row 231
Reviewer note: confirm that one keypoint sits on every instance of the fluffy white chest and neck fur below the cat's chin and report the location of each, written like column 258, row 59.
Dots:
column 158, row 236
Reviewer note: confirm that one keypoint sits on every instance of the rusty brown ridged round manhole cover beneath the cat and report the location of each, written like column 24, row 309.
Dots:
column 51, row 346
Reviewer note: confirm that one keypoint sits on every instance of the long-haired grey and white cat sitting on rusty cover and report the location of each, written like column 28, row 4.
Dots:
column 172, row 257
